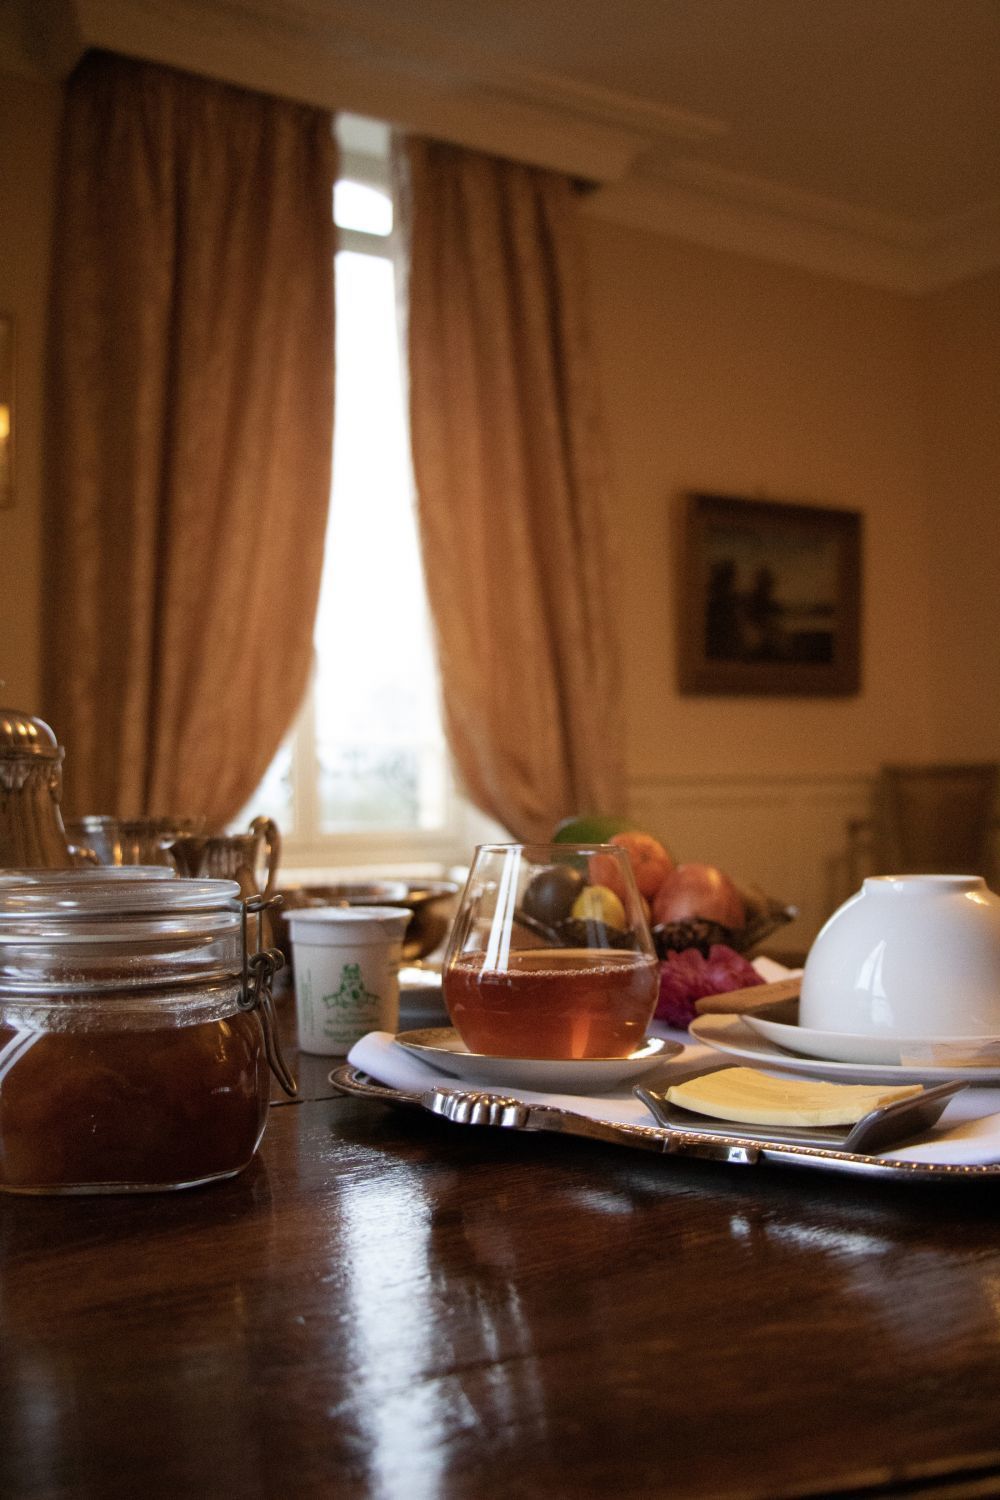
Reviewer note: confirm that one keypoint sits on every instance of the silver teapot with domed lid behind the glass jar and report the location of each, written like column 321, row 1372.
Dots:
column 32, row 832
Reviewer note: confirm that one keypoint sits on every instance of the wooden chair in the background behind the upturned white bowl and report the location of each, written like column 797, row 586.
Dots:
column 929, row 820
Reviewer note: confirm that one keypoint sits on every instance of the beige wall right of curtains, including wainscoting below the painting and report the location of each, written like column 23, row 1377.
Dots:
column 734, row 376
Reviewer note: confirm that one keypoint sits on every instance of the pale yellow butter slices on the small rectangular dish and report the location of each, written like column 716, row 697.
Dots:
column 756, row 1099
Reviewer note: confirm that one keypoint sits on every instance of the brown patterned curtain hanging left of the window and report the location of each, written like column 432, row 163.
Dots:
column 190, row 434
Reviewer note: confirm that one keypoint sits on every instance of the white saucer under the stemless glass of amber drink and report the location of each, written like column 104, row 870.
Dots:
column 445, row 1051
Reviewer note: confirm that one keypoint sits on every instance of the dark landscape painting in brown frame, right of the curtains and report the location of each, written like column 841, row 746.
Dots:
column 770, row 598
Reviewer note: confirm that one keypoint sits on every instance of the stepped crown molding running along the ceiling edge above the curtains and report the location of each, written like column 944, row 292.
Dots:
column 340, row 56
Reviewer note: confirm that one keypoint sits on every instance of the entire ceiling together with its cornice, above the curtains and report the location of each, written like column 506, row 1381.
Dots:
column 855, row 137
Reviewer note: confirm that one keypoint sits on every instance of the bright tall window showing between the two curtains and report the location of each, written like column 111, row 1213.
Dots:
column 364, row 778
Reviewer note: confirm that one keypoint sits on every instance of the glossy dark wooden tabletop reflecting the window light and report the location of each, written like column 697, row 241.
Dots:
column 397, row 1307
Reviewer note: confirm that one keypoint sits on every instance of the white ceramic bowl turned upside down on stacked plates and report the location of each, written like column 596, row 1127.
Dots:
column 912, row 956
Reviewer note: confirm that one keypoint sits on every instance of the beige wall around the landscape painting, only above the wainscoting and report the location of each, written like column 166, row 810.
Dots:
column 737, row 377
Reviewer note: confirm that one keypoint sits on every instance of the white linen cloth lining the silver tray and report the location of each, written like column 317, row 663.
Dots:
column 968, row 1133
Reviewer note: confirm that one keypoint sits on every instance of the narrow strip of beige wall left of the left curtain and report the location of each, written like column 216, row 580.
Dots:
column 29, row 118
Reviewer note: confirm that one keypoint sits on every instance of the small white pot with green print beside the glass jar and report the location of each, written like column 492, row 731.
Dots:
column 347, row 974
